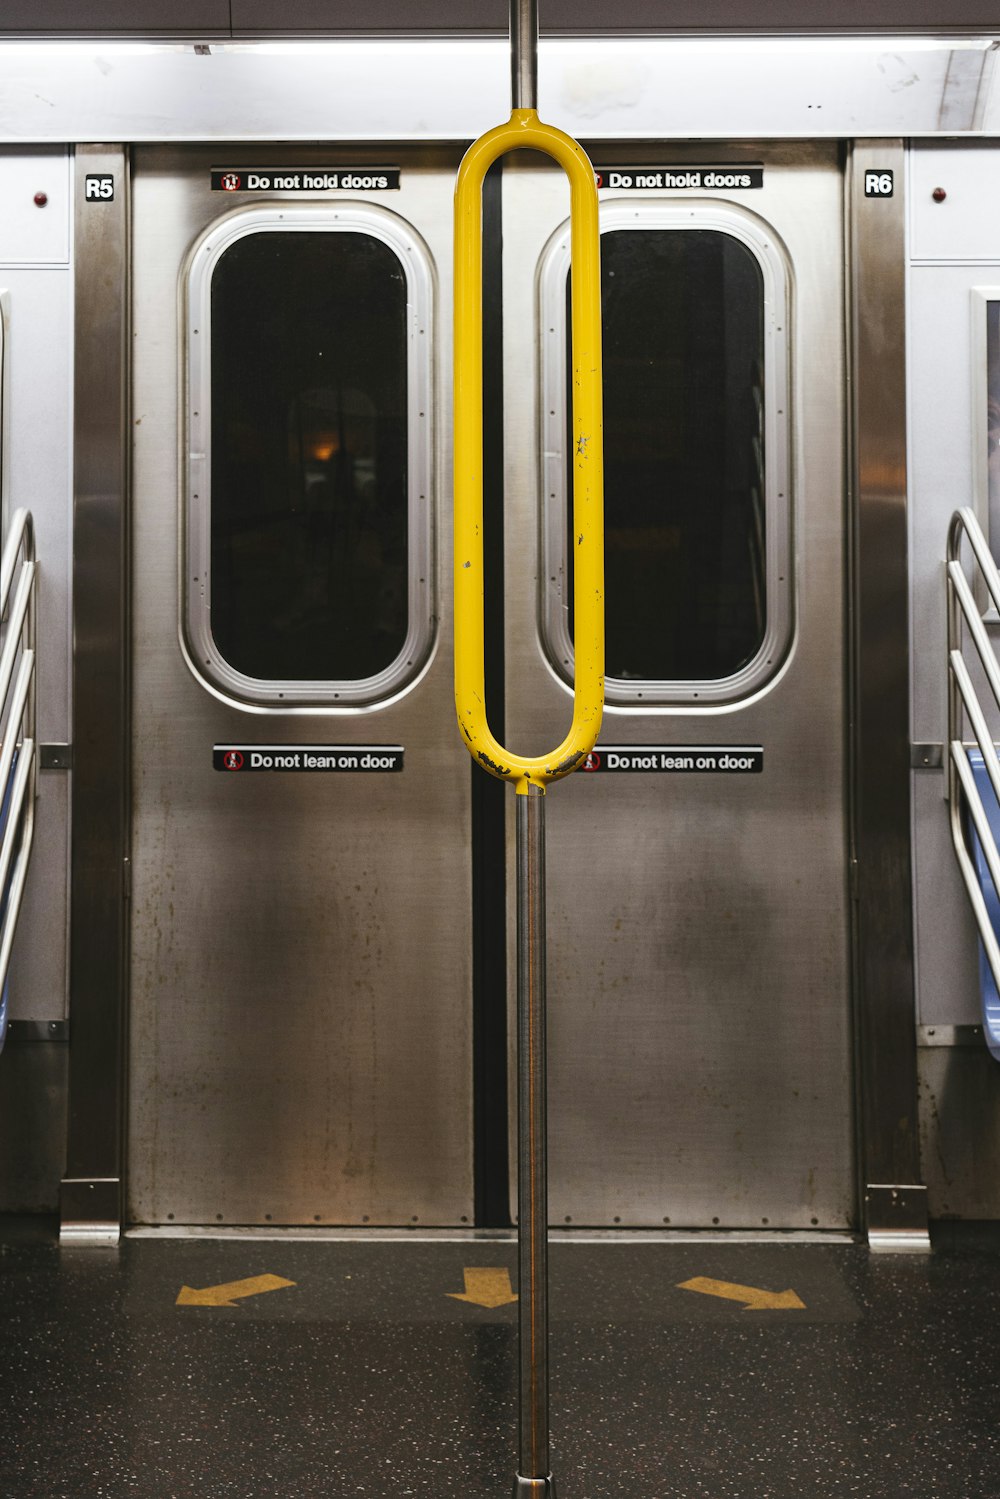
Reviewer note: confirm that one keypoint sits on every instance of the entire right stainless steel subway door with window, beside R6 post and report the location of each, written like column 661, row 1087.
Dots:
column 701, row 1046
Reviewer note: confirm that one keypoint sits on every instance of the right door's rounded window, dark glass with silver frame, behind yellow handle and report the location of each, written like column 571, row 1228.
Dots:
column 696, row 477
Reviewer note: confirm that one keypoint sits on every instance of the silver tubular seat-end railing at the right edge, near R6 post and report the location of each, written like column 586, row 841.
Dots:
column 963, row 702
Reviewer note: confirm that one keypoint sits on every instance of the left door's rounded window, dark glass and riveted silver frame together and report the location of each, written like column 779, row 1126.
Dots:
column 308, row 558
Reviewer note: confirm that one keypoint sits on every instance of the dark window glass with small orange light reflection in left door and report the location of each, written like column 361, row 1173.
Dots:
column 310, row 456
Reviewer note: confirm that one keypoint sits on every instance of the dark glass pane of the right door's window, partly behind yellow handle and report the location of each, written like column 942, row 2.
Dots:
column 683, row 316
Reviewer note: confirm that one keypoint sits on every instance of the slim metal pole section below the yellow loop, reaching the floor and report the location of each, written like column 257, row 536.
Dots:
column 533, row 1174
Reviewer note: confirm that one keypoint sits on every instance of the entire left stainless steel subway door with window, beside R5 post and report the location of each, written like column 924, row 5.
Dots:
column 301, row 1025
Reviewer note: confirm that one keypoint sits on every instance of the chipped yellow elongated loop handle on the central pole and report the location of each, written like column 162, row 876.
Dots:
column 525, row 131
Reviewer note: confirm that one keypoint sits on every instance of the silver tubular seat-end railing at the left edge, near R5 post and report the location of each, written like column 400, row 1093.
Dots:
column 19, row 761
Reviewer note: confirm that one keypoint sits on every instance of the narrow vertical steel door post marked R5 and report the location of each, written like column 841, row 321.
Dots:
column 101, row 783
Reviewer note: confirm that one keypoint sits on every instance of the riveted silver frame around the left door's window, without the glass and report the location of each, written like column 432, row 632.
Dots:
column 196, row 549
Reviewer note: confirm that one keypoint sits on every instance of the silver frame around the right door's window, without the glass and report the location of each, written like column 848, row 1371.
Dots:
column 779, row 578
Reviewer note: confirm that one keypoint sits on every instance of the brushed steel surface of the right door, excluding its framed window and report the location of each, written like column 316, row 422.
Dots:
column 701, row 1038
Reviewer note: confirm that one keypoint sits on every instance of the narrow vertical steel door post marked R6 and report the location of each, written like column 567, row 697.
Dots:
column 881, row 687
